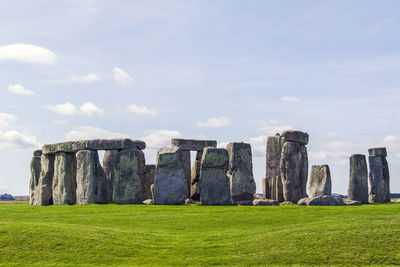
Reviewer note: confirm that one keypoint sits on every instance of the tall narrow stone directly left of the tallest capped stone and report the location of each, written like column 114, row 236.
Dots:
column 273, row 161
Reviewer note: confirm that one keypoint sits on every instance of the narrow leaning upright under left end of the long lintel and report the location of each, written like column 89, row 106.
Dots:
column 44, row 194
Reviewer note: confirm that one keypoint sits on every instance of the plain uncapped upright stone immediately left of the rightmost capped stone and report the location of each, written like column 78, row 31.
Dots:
column 358, row 181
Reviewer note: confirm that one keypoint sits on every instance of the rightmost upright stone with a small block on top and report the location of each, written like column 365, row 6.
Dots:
column 379, row 180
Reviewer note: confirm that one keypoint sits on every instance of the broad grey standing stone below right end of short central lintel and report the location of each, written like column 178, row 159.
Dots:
column 214, row 184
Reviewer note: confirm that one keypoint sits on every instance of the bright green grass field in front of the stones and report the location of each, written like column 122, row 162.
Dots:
column 198, row 235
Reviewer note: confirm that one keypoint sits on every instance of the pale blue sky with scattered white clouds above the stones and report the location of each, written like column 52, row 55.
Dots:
column 224, row 70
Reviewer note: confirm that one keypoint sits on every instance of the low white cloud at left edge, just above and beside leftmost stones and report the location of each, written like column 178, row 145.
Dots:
column 18, row 140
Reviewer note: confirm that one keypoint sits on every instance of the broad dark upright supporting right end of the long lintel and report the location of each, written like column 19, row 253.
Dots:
column 129, row 176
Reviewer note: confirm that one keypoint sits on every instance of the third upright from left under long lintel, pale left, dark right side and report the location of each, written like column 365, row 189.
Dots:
column 90, row 178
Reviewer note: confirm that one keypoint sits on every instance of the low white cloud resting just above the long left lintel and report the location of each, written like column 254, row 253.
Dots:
column 88, row 132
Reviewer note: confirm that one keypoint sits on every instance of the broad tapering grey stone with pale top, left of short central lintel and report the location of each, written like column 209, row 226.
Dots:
column 170, row 187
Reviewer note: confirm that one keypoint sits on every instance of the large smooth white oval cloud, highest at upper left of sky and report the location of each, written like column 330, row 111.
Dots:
column 27, row 53
